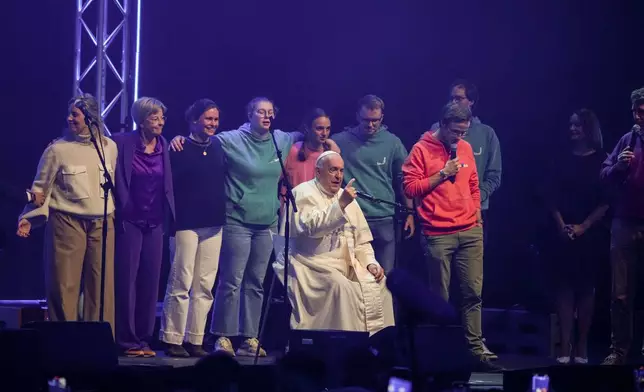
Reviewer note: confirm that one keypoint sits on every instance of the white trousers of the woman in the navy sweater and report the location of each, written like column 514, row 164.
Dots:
column 188, row 296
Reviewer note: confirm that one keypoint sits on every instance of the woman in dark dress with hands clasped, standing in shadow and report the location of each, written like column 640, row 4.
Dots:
column 578, row 205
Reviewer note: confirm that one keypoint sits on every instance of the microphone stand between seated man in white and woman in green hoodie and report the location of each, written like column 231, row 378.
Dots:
column 290, row 199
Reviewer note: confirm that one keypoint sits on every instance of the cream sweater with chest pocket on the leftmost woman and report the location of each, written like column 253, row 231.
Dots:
column 70, row 176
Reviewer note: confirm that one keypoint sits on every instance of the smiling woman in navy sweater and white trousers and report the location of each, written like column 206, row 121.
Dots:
column 198, row 177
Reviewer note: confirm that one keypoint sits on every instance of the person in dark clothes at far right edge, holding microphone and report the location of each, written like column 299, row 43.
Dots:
column 623, row 172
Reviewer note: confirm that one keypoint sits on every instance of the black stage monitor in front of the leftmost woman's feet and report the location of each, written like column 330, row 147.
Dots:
column 75, row 347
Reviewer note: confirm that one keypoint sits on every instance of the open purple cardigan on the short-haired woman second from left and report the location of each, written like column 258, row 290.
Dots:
column 126, row 143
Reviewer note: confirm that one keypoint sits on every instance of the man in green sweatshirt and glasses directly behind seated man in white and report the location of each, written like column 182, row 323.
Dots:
column 374, row 157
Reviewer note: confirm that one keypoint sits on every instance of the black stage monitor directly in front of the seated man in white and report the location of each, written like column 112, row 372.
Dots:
column 334, row 348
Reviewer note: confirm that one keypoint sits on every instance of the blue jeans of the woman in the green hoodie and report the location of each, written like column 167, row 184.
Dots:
column 245, row 253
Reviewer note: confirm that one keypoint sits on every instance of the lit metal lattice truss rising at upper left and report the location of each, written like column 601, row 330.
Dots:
column 112, row 49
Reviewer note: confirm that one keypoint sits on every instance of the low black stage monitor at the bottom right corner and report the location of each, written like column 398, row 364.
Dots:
column 575, row 378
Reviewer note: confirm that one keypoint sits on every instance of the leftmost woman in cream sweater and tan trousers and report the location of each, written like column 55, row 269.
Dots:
column 70, row 175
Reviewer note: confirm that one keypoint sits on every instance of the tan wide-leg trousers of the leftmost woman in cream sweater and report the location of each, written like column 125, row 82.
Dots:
column 72, row 253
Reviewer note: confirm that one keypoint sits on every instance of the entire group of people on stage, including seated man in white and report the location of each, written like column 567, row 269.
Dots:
column 218, row 196
